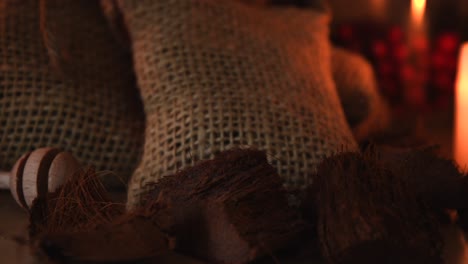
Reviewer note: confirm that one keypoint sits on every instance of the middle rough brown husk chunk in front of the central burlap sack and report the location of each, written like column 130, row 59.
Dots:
column 232, row 209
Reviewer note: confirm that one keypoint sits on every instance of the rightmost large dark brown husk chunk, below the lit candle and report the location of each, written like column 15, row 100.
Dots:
column 364, row 207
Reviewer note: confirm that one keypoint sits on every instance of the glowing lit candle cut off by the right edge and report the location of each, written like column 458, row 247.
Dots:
column 461, row 110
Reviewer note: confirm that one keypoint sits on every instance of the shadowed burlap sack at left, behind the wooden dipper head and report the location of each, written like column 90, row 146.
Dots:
column 64, row 82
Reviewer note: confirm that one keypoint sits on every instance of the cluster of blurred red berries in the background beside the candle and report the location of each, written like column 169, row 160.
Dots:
column 412, row 70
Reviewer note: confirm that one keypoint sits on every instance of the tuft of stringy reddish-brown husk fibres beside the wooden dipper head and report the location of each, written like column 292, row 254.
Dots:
column 81, row 204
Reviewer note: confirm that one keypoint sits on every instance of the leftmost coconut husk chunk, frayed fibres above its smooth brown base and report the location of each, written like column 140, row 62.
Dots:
column 80, row 222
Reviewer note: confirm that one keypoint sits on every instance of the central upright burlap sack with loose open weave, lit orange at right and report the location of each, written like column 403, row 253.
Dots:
column 218, row 74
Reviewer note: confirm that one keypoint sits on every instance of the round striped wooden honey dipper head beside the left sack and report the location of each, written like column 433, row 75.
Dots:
column 39, row 172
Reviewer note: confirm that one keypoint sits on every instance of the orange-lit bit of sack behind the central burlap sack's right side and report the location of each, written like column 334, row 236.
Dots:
column 365, row 109
